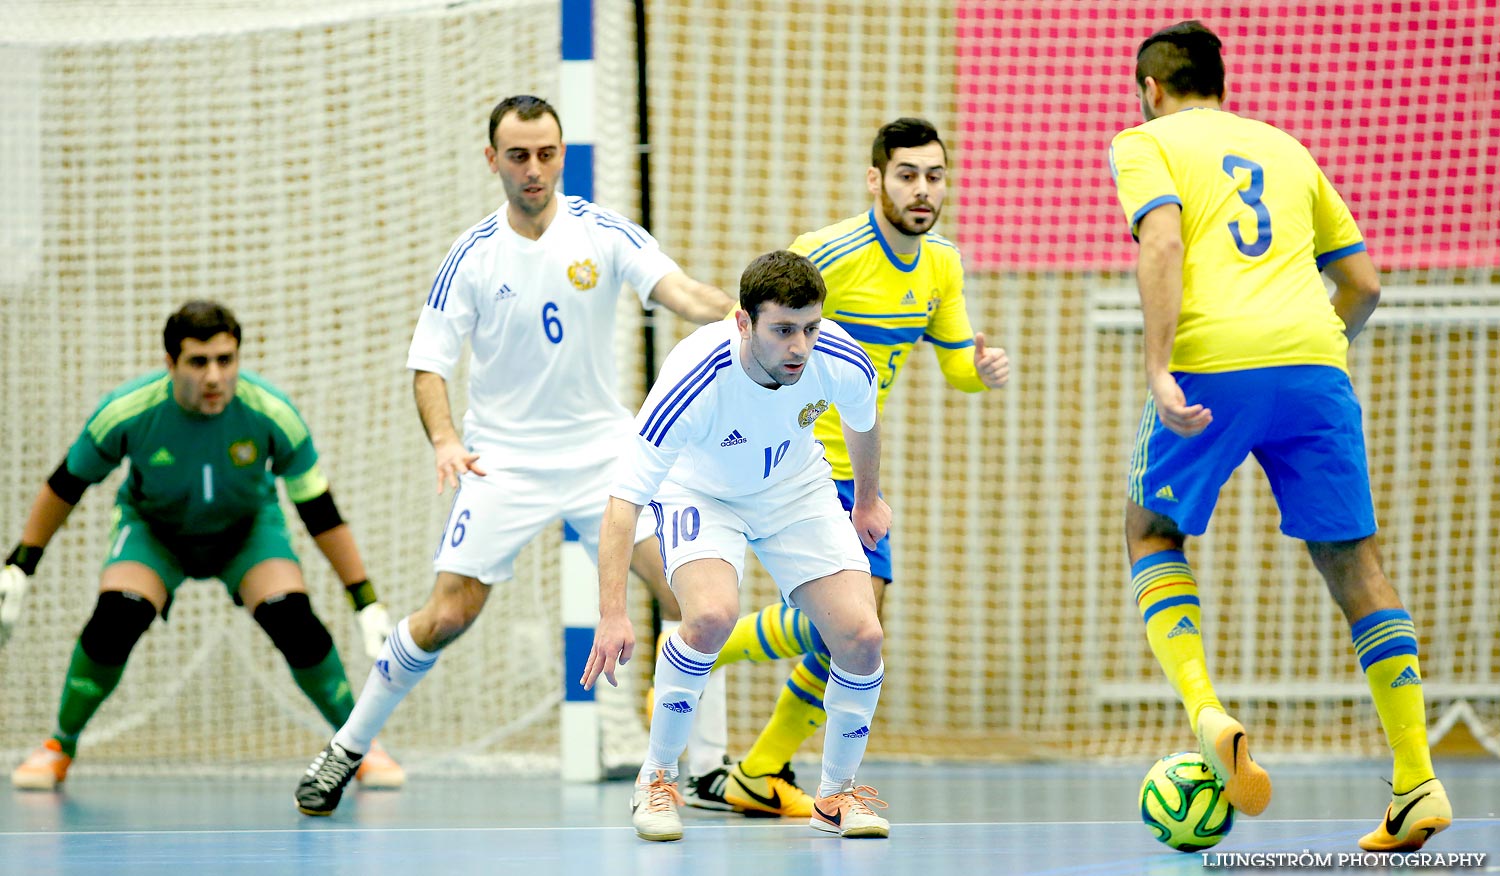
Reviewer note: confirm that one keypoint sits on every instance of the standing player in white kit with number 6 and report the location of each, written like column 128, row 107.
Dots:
column 533, row 290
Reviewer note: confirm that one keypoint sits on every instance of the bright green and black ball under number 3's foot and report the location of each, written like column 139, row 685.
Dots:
column 1184, row 805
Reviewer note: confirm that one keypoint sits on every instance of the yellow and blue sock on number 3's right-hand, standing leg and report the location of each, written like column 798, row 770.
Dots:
column 1385, row 643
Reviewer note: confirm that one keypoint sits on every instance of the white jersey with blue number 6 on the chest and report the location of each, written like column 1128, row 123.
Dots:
column 541, row 322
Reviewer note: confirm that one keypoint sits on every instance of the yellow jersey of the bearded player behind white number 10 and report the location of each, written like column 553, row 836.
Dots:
column 889, row 302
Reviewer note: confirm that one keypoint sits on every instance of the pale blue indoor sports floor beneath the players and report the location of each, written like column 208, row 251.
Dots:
column 947, row 820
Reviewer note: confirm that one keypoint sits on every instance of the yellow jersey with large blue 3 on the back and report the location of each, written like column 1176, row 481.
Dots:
column 1259, row 223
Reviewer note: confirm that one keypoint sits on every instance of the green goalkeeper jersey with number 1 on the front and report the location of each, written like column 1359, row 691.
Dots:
column 191, row 475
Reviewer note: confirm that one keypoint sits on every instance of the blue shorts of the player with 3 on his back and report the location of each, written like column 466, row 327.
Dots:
column 1301, row 422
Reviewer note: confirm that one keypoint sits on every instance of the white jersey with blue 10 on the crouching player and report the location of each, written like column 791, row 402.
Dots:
column 709, row 427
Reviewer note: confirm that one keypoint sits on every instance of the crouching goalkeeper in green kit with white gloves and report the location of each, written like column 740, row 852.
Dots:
column 206, row 446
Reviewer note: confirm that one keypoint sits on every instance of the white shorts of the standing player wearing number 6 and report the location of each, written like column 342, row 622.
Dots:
column 494, row 517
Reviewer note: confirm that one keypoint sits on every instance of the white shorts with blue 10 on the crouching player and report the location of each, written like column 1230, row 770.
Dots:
column 797, row 529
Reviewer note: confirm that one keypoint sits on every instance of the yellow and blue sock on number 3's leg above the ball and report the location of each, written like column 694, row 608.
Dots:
column 1168, row 598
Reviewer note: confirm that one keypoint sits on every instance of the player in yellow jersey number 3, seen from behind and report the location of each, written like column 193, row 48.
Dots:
column 1246, row 355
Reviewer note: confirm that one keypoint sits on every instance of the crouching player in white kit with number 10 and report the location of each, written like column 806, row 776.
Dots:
column 727, row 458
